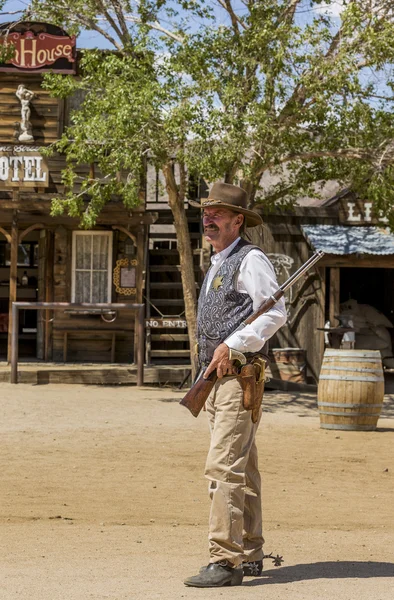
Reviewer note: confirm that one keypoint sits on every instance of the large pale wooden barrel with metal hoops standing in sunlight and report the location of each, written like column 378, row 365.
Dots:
column 351, row 389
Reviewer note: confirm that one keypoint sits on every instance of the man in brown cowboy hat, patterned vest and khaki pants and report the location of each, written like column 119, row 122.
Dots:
column 238, row 281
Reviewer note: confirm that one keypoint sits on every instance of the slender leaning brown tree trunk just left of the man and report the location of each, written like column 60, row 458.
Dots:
column 176, row 203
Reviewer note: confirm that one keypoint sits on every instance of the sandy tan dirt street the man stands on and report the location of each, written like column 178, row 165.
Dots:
column 102, row 496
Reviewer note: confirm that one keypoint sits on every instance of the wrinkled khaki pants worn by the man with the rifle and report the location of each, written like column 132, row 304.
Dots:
column 235, row 523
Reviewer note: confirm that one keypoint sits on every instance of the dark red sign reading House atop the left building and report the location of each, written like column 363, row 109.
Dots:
column 38, row 47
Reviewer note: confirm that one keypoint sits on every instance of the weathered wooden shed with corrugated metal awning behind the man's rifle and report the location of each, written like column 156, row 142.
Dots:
column 358, row 264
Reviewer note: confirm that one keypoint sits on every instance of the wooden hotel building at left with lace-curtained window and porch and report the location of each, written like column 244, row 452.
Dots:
column 45, row 258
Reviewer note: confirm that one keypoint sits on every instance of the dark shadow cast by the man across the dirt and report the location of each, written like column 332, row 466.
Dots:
column 324, row 570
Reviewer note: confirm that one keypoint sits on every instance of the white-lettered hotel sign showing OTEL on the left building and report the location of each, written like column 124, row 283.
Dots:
column 23, row 168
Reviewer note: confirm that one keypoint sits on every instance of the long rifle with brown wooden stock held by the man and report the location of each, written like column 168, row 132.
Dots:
column 200, row 390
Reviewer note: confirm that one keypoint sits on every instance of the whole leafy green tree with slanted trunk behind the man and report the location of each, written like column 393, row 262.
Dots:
column 300, row 90
